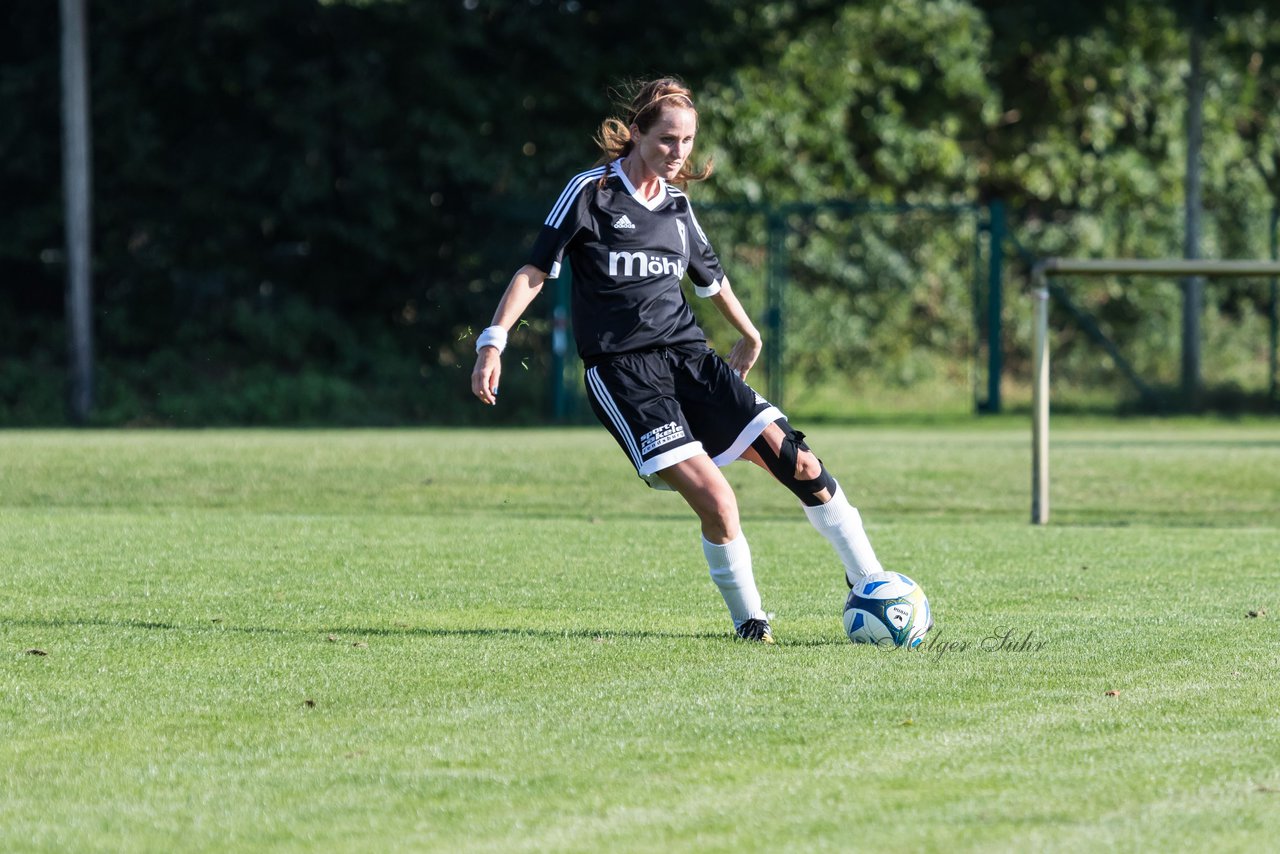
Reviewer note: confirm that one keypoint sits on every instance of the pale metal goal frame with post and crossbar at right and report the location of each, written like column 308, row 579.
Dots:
column 1041, row 275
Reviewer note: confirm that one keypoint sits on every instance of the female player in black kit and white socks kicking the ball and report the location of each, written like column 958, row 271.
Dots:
column 675, row 407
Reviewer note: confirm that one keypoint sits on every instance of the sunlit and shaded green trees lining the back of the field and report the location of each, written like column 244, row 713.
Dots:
column 304, row 212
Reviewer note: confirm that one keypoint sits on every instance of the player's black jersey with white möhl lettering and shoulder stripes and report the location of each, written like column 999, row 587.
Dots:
column 629, row 257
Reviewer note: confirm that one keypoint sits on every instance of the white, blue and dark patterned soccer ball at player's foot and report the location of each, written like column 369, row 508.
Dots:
column 888, row 610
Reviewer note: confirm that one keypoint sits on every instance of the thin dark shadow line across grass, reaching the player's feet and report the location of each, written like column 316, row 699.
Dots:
column 348, row 633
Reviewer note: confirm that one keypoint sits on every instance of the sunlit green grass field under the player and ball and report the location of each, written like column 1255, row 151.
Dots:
column 501, row 641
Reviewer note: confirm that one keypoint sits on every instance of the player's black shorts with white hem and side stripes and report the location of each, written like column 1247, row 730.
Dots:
column 665, row 407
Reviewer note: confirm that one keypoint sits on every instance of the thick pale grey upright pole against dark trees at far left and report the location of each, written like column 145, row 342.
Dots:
column 79, row 194
